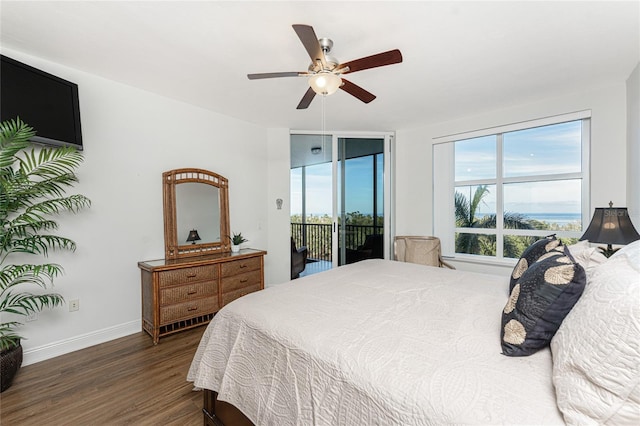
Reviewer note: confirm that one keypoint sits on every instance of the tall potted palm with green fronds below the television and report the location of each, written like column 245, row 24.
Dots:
column 32, row 189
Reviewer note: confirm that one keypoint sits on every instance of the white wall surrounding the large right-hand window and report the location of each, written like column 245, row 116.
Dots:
column 414, row 183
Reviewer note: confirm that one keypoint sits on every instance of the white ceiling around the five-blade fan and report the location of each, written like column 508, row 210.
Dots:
column 460, row 58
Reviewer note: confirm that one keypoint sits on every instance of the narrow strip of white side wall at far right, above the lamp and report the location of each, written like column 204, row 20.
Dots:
column 633, row 146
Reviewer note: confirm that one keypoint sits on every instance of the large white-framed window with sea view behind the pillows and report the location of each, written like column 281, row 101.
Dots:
column 496, row 193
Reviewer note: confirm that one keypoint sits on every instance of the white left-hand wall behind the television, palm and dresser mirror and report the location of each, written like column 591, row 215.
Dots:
column 130, row 138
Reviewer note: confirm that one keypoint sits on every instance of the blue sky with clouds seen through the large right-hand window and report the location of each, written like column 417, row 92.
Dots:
column 548, row 150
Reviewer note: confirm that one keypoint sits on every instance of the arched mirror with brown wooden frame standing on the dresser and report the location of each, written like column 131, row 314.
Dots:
column 196, row 213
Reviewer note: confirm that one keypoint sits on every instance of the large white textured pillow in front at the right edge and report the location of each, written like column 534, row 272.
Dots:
column 596, row 351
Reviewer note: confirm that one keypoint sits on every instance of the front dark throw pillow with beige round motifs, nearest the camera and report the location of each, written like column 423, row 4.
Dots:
column 541, row 298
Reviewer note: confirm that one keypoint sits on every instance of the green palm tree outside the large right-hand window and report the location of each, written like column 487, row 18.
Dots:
column 466, row 211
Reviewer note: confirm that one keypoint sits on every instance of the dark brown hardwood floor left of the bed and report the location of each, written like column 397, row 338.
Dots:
column 127, row 381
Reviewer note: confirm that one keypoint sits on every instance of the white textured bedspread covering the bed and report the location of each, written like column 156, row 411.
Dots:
column 374, row 343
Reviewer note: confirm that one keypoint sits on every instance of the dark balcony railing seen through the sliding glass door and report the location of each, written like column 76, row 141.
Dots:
column 318, row 237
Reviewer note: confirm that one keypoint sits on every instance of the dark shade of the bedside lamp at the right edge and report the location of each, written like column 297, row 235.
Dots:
column 611, row 226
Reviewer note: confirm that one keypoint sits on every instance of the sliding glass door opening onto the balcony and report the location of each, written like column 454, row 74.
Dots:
column 340, row 197
